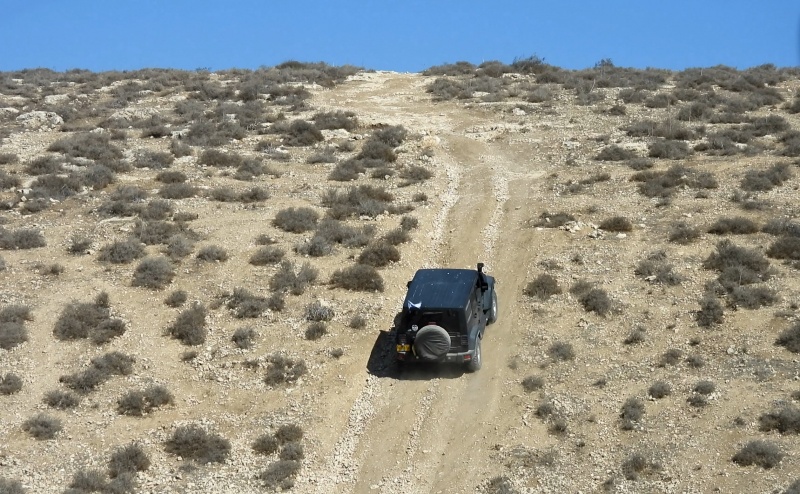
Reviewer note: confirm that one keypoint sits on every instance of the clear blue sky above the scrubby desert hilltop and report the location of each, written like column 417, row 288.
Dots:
column 395, row 35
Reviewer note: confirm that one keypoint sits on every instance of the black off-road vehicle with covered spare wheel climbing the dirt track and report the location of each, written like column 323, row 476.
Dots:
column 444, row 315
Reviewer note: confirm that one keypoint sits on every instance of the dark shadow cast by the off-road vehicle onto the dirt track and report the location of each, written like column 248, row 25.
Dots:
column 382, row 363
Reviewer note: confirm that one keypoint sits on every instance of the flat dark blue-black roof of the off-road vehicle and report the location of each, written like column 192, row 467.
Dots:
column 440, row 288
